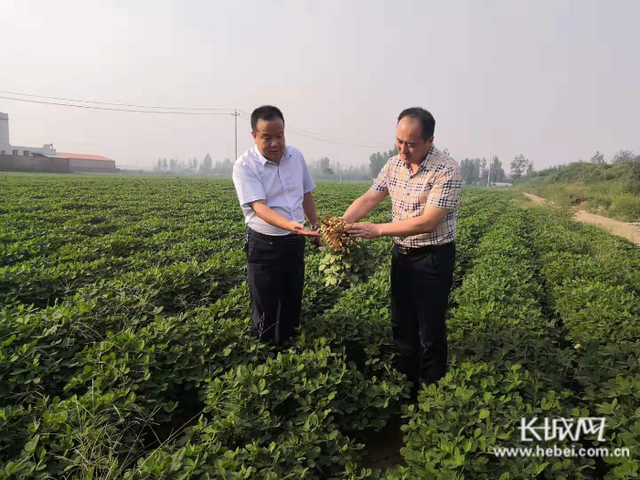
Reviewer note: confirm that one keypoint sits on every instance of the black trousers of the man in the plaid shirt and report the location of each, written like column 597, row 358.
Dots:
column 420, row 286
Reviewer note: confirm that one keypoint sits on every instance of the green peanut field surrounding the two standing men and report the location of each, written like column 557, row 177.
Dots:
column 126, row 353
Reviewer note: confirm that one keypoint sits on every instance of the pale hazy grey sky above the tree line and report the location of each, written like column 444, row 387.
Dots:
column 554, row 80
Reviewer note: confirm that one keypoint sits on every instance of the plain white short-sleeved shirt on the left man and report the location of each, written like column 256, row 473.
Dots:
column 282, row 186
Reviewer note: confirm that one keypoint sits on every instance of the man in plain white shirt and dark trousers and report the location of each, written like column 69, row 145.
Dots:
column 274, row 189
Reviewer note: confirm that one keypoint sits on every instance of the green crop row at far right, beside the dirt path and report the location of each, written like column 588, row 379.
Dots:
column 591, row 280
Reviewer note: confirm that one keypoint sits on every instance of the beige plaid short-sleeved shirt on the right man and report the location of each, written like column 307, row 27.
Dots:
column 437, row 182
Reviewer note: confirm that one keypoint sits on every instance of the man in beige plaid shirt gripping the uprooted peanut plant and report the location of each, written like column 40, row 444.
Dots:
column 424, row 185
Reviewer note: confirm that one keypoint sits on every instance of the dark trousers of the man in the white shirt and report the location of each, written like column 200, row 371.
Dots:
column 276, row 276
